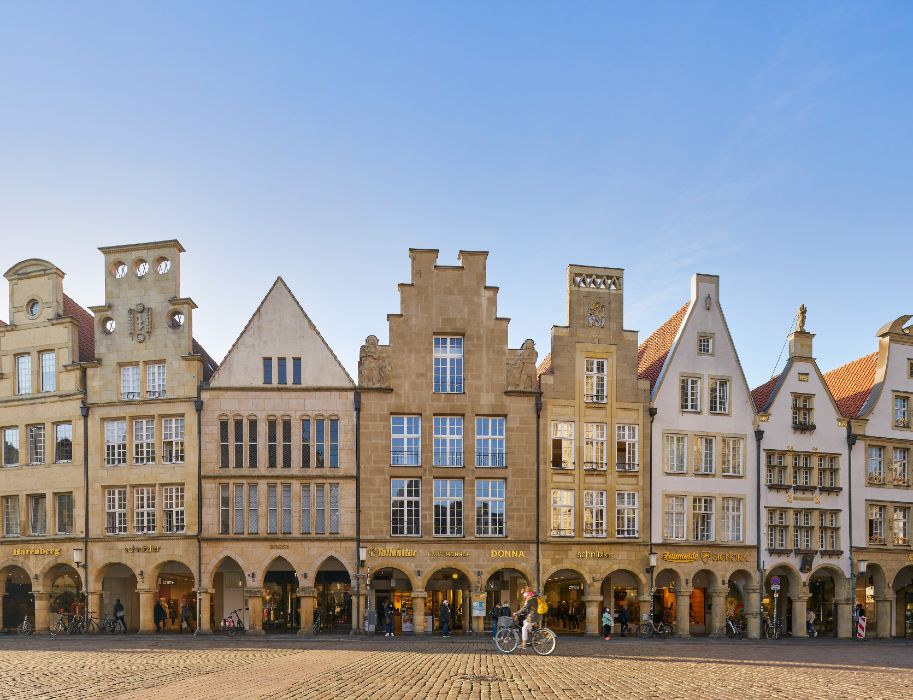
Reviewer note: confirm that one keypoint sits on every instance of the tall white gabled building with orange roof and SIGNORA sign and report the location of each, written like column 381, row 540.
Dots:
column 704, row 476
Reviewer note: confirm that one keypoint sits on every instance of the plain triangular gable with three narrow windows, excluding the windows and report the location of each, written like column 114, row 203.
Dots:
column 281, row 328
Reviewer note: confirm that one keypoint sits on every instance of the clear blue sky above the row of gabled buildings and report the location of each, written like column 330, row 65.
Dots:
column 771, row 144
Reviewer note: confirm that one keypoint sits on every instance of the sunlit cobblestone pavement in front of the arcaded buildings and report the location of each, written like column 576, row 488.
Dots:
column 162, row 668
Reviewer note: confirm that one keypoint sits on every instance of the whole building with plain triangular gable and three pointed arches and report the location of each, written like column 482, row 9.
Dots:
column 279, row 477
